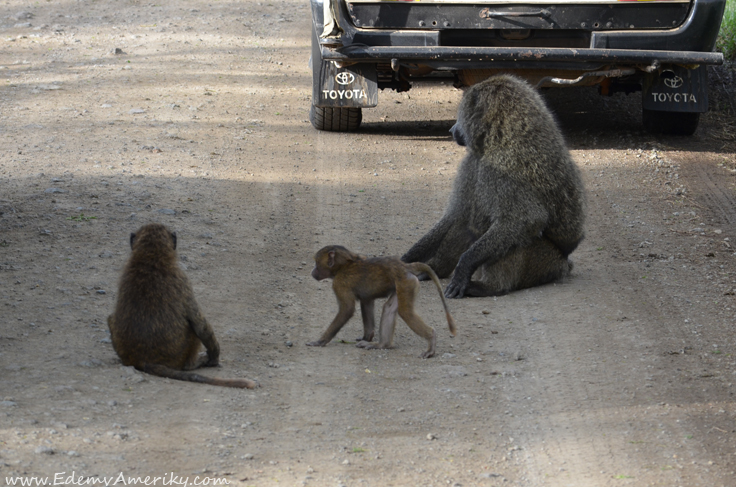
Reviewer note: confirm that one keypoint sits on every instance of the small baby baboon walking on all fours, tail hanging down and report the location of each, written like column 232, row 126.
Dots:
column 355, row 277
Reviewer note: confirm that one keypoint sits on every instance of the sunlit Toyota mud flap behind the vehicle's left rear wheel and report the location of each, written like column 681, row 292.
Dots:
column 351, row 86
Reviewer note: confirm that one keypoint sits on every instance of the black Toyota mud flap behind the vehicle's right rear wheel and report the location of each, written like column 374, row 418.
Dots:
column 676, row 89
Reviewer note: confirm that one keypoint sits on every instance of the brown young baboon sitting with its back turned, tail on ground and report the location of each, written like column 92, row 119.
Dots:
column 157, row 326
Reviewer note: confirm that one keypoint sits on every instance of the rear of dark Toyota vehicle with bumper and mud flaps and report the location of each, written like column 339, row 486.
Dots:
column 658, row 47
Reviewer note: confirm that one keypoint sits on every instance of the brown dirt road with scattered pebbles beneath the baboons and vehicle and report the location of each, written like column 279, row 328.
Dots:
column 621, row 375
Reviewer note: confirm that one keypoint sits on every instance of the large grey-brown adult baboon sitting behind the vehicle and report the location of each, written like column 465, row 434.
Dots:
column 517, row 206
